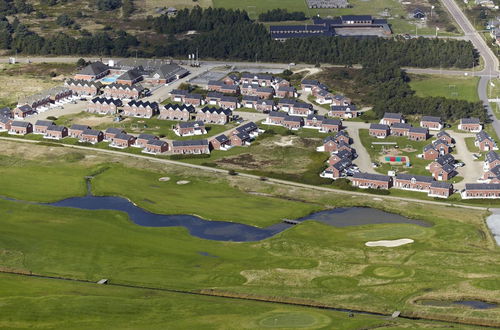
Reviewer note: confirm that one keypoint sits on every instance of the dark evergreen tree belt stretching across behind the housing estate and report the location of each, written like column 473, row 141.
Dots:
column 230, row 34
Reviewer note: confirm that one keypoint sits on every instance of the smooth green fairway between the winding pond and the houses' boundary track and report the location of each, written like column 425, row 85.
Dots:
column 208, row 198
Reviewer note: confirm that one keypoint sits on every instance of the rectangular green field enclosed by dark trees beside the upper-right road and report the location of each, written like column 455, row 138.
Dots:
column 455, row 87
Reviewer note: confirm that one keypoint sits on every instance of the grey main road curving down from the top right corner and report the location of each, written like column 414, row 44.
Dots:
column 491, row 63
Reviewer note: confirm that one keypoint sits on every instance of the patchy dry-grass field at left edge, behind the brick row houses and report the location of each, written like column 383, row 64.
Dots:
column 22, row 80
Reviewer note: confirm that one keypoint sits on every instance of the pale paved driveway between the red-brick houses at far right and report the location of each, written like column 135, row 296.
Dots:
column 472, row 169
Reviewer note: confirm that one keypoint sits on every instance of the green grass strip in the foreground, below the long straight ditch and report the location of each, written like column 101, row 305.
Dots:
column 73, row 305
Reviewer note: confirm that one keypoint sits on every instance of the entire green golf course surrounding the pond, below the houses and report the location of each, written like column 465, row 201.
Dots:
column 313, row 264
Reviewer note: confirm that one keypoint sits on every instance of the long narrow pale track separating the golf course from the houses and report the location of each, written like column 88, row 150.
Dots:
column 254, row 177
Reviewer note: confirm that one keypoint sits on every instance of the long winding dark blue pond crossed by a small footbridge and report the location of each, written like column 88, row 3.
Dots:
column 231, row 231
